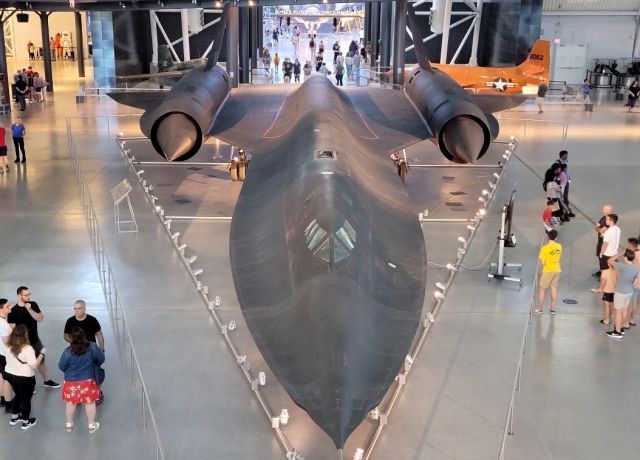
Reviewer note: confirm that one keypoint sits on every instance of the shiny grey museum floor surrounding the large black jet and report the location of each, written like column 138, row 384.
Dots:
column 578, row 396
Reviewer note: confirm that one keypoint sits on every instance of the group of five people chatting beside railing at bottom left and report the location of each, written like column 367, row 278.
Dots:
column 22, row 353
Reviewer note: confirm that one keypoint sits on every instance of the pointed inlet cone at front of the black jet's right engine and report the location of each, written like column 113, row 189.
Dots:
column 464, row 139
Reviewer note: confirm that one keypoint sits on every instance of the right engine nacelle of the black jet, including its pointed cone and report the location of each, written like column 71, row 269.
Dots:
column 461, row 129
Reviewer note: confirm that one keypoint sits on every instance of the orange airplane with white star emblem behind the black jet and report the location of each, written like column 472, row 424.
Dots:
column 523, row 78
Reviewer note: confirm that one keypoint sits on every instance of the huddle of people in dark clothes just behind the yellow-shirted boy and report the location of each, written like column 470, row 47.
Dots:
column 556, row 186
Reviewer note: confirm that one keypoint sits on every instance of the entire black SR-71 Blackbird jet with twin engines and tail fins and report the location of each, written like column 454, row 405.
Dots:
column 328, row 260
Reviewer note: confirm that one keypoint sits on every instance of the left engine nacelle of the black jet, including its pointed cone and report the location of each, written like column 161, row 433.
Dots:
column 179, row 125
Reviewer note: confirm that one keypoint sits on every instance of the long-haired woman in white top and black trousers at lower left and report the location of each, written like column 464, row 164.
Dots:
column 21, row 371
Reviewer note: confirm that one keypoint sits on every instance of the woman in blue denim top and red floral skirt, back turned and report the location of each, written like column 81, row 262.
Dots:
column 78, row 362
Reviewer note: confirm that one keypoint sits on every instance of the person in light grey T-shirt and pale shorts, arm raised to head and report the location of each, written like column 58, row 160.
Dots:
column 627, row 280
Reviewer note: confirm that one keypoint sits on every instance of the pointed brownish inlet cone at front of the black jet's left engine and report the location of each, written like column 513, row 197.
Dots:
column 176, row 136
